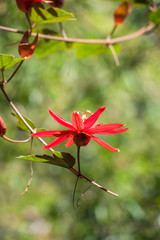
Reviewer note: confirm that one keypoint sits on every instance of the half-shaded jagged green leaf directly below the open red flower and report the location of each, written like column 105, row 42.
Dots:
column 61, row 159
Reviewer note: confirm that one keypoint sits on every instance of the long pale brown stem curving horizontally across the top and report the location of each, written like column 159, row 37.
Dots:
column 136, row 34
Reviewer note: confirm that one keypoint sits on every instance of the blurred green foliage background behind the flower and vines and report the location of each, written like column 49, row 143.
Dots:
column 131, row 93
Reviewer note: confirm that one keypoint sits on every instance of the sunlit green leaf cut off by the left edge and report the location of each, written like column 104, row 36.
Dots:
column 8, row 61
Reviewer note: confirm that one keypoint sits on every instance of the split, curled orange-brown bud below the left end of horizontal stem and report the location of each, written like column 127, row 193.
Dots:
column 26, row 49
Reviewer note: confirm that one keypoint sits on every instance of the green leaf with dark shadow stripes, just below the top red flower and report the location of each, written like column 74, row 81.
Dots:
column 43, row 16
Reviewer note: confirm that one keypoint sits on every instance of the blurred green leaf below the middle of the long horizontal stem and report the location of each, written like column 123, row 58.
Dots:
column 84, row 50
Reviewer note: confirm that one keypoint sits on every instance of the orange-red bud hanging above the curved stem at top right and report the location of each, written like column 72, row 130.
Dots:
column 123, row 10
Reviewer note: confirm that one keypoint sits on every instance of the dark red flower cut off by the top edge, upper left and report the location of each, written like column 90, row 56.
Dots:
column 25, row 5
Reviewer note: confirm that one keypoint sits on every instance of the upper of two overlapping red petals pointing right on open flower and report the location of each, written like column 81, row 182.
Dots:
column 102, row 129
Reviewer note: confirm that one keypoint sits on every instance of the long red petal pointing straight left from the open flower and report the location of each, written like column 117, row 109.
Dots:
column 52, row 133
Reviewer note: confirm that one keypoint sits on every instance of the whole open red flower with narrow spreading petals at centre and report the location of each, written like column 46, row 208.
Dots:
column 81, row 130
